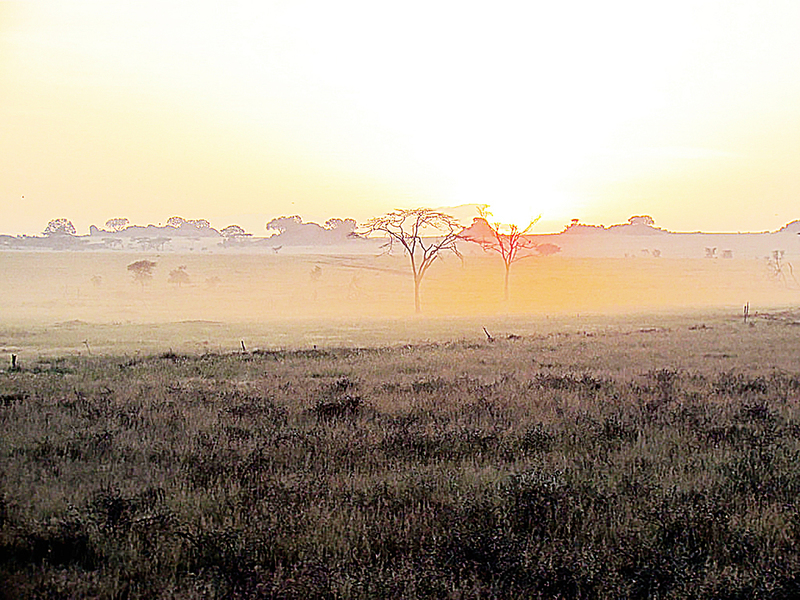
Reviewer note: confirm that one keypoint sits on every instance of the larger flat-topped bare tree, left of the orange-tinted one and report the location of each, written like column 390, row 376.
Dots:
column 407, row 227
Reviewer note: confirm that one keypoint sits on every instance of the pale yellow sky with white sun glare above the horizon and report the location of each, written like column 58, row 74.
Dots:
column 240, row 112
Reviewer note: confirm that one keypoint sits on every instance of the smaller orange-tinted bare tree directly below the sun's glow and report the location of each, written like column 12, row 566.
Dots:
column 510, row 244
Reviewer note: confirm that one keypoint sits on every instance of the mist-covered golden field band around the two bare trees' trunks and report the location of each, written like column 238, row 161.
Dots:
column 51, row 287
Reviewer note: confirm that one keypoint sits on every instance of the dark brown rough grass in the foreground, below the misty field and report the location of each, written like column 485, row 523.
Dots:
column 622, row 458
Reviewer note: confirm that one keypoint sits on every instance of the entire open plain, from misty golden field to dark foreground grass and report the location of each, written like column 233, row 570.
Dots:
column 312, row 438
